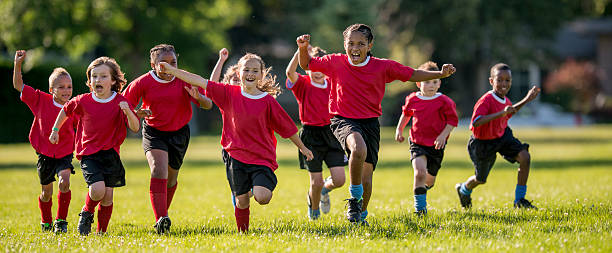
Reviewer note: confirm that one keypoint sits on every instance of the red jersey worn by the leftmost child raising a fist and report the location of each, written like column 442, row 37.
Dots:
column 45, row 111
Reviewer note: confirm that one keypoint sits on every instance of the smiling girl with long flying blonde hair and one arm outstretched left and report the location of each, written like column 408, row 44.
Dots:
column 251, row 115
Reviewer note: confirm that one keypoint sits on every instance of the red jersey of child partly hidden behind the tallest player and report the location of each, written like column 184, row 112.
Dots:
column 312, row 100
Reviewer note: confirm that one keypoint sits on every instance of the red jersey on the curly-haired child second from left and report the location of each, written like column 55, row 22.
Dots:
column 102, row 123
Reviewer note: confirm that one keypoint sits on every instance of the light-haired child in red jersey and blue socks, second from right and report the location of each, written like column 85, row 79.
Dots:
column 433, row 118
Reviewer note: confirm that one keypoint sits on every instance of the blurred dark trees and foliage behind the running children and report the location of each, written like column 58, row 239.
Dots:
column 564, row 46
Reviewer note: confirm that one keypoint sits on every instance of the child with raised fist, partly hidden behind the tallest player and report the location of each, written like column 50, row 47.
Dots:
column 312, row 94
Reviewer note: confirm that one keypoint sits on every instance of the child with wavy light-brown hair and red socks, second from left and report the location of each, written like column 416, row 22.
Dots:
column 104, row 115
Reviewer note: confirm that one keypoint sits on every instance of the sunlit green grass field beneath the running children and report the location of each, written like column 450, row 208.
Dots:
column 570, row 182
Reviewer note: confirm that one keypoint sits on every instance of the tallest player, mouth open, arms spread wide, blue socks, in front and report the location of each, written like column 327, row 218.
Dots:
column 357, row 87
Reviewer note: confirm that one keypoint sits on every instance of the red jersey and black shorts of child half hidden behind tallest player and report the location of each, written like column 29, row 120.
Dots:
column 313, row 100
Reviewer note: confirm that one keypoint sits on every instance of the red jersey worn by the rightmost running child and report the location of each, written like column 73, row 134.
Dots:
column 490, row 103
